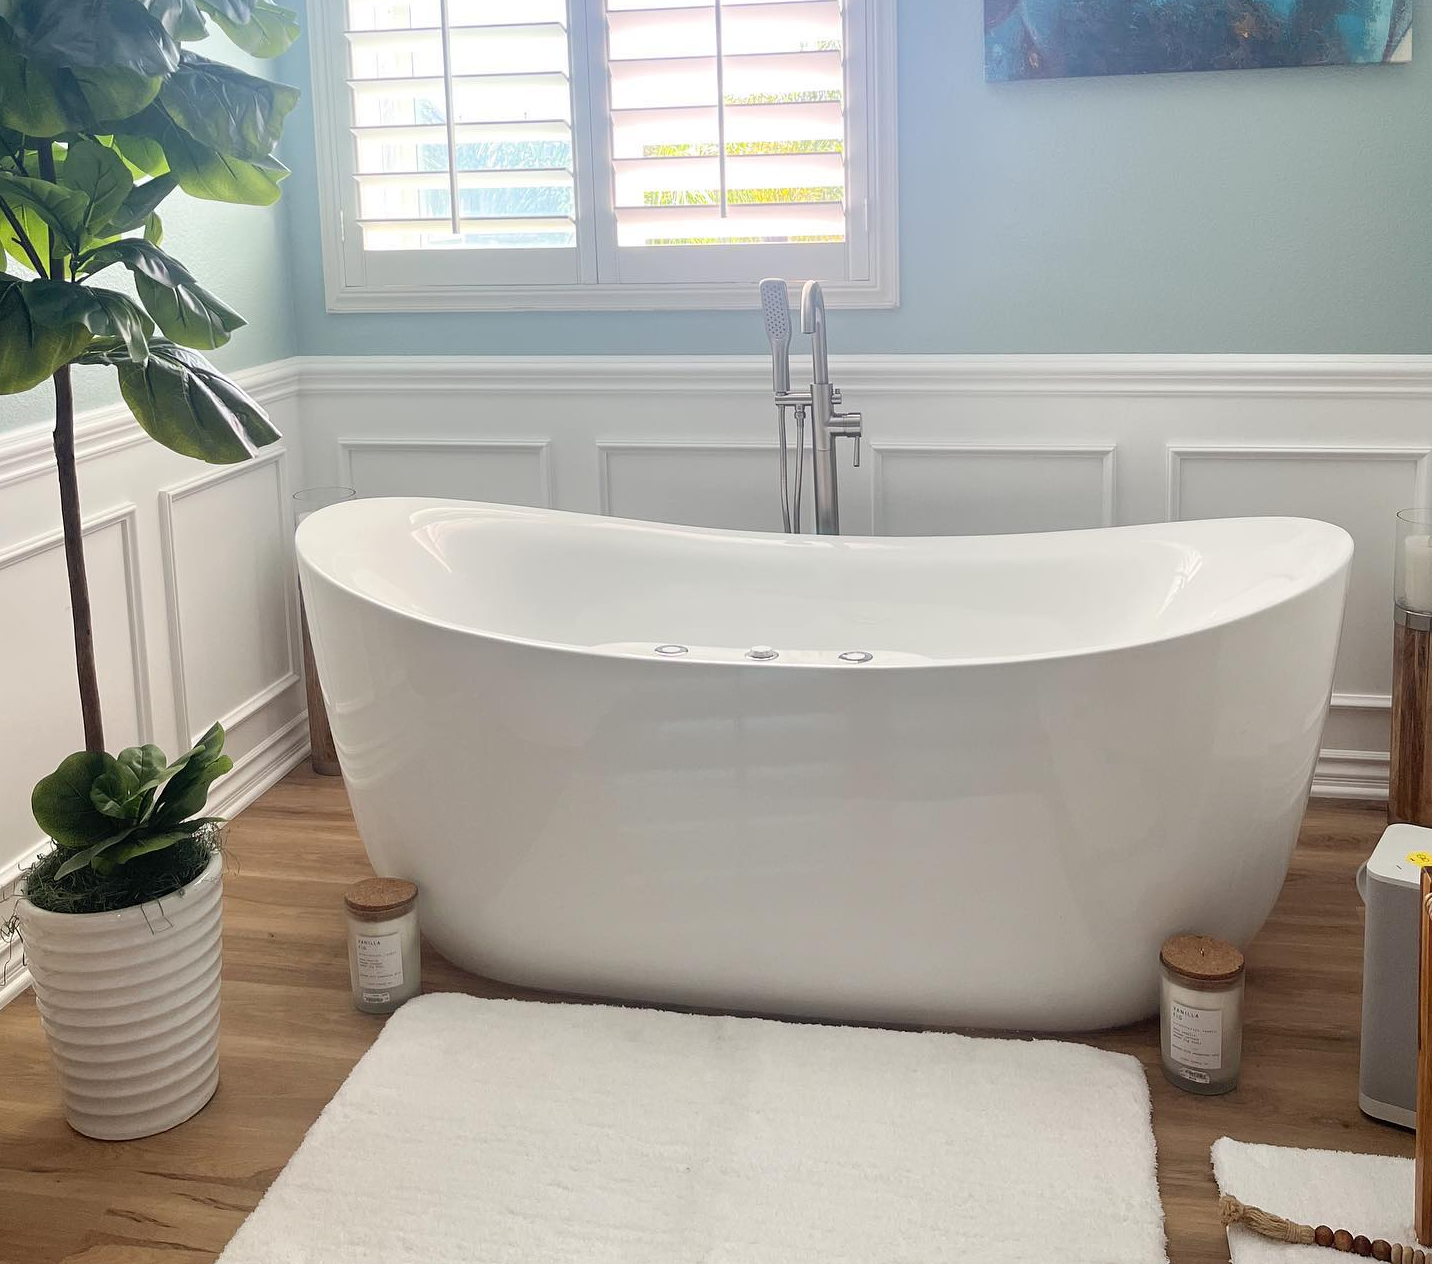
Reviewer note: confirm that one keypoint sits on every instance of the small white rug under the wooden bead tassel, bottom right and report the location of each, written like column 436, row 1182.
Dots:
column 1361, row 1193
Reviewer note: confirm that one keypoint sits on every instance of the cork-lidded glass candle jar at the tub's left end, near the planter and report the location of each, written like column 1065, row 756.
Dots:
column 384, row 950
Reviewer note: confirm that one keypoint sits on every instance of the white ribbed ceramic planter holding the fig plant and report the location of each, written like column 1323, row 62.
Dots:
column 131, row 1007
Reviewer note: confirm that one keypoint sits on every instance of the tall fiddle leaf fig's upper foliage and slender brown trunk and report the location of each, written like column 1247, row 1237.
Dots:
column 105, row 112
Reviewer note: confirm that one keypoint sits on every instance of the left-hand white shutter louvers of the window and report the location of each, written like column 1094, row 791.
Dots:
column 462, row 122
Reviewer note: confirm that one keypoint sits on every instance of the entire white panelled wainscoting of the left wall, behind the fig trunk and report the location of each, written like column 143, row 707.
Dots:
column 161, row 530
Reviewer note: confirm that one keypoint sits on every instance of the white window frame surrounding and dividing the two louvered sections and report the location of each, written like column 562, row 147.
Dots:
column 359, row 281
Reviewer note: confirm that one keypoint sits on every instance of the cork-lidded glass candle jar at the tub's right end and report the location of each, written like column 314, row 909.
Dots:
column 1202, row 1014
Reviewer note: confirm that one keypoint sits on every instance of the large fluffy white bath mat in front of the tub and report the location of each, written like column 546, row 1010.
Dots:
column 521, row 1133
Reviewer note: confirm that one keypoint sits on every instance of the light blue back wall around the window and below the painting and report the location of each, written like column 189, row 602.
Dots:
column 1279, row 211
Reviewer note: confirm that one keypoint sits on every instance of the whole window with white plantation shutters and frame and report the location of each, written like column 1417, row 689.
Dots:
column 605, row 154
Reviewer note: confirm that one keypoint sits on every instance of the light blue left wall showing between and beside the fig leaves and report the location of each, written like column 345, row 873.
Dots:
column 238, row 253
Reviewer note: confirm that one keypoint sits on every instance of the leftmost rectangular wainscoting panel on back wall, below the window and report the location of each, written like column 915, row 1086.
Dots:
column 516, row 473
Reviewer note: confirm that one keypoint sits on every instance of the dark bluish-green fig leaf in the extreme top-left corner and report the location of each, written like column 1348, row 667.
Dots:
column 111, row 35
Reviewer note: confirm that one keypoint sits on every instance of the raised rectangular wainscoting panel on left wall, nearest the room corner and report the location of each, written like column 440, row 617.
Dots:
column 218, row 580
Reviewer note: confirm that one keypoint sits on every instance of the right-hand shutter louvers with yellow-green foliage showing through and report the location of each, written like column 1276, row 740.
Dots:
column 728, row 121
